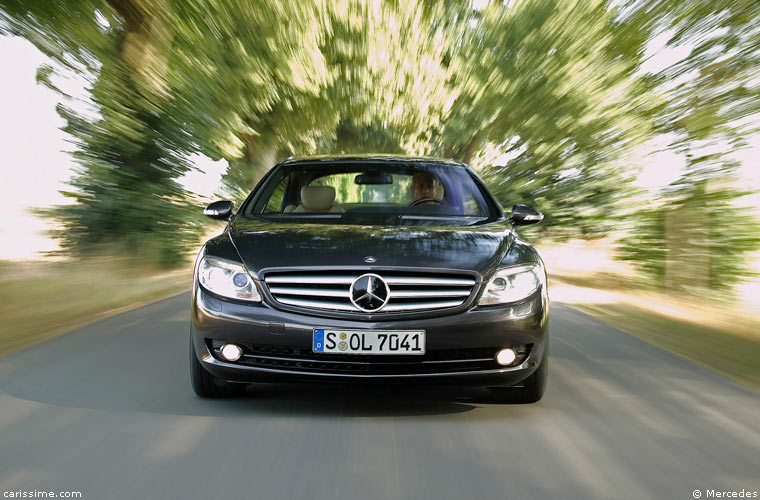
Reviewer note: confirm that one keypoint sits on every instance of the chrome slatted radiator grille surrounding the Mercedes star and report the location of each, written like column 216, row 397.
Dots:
column 407, row 291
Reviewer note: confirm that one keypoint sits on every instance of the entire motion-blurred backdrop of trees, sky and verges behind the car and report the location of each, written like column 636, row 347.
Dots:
column 632, row 124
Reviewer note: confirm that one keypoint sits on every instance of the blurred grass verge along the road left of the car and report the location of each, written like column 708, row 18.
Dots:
column 40, row 300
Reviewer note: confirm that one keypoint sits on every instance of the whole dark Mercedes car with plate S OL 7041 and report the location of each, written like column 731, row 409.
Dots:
column 370, row 269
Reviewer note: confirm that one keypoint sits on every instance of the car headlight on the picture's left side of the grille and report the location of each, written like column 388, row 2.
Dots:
column 228, row 279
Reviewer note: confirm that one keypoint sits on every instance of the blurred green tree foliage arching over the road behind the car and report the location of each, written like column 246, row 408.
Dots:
column 551, row 99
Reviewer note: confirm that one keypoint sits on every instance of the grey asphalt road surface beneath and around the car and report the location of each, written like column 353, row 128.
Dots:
column 108, row 411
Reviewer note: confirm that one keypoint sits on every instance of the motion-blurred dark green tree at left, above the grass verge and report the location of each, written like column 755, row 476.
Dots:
column 125, row 189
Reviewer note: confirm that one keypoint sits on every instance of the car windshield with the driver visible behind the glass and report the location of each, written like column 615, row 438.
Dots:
column 372, row 193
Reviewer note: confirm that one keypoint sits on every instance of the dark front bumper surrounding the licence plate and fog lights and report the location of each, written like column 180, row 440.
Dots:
column 459, row 347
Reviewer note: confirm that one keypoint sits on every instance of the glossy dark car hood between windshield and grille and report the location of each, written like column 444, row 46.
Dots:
column 264, row 244
